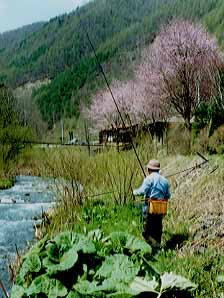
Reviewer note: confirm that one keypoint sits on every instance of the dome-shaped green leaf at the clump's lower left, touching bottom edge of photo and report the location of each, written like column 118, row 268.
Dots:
column 51, row 287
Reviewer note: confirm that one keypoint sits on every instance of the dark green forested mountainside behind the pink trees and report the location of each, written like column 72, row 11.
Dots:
column 59, row 50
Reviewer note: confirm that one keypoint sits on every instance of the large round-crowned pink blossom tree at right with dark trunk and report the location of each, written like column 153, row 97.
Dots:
column 181, row 68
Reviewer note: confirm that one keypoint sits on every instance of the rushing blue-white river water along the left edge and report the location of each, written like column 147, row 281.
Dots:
column 20, row 208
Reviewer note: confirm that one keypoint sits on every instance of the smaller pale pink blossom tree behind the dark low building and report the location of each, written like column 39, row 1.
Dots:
column 134, row 103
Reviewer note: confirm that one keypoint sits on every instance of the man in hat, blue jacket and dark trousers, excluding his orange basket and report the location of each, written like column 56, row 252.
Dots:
column 156, row 187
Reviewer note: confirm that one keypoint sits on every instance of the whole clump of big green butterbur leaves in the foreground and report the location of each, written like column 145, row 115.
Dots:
column 93, row 267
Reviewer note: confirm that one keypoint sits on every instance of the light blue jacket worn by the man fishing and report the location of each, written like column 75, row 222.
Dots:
column 154, row 186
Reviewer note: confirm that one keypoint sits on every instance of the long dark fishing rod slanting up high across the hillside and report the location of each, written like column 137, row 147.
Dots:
column 112, row 95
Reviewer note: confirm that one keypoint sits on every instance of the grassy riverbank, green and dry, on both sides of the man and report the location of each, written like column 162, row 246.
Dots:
column 193, row 229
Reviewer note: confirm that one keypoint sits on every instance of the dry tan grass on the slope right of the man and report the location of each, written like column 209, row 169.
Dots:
column 198, row 203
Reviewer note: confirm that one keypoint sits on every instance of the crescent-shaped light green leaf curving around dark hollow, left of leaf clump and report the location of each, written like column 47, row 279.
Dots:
column 66, row 262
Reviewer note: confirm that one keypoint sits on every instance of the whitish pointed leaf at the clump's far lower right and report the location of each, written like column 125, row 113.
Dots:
column 170, row 281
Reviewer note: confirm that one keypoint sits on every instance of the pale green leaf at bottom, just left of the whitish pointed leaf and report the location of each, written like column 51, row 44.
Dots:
column 140, row 285
